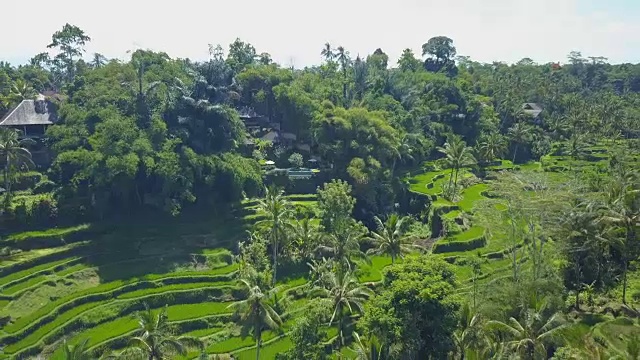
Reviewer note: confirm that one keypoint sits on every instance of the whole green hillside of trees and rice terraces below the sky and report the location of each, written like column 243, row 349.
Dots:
column 435, row 208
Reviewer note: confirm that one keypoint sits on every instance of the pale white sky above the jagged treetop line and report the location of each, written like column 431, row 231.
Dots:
column 295, row 31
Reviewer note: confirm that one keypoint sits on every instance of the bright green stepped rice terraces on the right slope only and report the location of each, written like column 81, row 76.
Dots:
column 462, row 236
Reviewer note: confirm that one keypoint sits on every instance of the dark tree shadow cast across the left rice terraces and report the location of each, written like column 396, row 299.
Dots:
column 155, row 243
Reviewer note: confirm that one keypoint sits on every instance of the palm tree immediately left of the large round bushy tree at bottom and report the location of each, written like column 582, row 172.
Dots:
column 344, row 293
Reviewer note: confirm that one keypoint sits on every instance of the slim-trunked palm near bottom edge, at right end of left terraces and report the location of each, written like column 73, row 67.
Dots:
column 256, row 312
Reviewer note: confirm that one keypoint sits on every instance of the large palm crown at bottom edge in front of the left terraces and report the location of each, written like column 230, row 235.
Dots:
column 154, row 340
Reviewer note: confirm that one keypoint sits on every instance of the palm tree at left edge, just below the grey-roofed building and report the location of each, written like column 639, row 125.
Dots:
column 14, row 154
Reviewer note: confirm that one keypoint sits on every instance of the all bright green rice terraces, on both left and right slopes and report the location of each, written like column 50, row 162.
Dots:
column 88, row 288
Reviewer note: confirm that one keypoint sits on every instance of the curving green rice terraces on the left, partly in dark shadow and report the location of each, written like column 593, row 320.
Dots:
column 90, row 289
